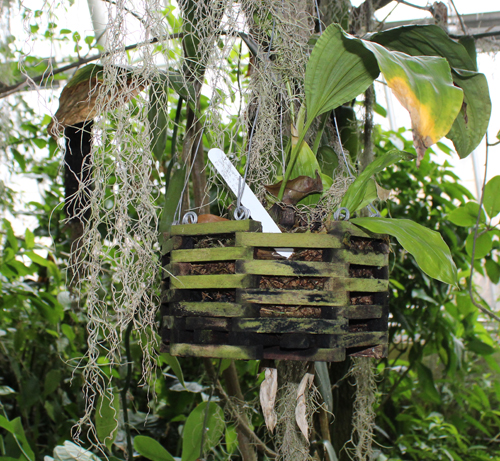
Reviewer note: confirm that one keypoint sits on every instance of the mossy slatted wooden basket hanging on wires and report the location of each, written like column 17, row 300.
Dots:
column 227, row 294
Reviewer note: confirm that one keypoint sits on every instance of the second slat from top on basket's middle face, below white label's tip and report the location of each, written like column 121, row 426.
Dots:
column 292, row 268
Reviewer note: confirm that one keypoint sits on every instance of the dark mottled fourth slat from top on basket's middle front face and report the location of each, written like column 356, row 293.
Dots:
column 281, row 325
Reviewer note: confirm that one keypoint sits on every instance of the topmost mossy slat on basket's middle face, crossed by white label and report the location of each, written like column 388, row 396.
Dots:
column 288, row 240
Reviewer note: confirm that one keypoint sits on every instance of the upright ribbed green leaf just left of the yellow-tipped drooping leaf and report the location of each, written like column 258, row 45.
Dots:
column 338, row 70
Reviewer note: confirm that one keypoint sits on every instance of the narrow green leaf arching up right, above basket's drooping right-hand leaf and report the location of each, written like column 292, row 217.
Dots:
column 353, row 198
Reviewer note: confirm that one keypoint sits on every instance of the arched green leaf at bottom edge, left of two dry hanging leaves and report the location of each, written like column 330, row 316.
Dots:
column 191, row 437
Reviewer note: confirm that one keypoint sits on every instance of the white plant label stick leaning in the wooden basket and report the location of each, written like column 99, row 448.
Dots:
column 248, row 199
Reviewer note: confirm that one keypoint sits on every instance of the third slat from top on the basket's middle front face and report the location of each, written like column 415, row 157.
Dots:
column 292, row 297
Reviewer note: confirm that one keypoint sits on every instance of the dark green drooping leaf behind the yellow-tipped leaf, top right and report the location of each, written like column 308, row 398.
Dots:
column 472, row 122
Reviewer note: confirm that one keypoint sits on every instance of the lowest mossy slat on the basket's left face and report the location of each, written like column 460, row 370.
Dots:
column 224, row 352
